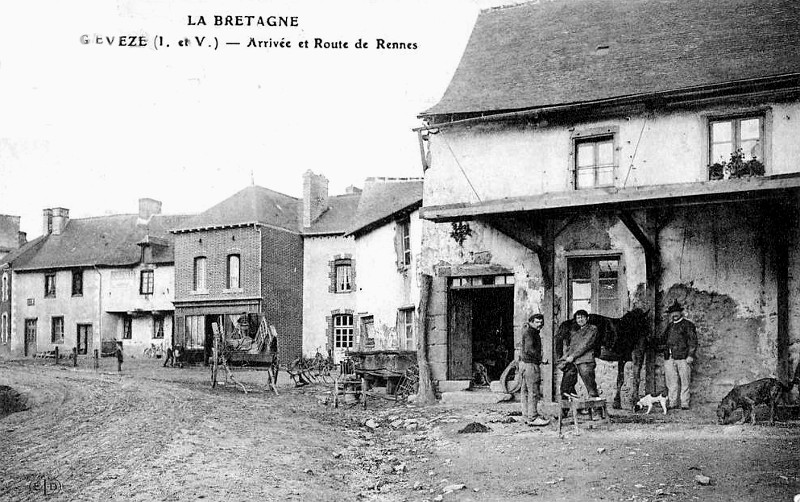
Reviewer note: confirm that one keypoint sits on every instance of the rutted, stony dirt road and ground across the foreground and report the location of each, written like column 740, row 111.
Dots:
column 157, row 433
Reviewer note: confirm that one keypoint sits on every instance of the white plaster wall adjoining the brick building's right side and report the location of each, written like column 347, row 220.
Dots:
column 317, row 301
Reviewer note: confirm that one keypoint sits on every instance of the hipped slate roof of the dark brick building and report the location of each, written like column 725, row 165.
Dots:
column 253, row 204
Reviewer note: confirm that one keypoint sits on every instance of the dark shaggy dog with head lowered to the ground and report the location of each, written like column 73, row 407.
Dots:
column 764, row 391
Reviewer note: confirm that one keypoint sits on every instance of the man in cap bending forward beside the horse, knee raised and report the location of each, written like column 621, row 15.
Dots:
column 579, row 357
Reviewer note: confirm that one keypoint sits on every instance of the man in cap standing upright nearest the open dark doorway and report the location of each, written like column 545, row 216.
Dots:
column 530, row 357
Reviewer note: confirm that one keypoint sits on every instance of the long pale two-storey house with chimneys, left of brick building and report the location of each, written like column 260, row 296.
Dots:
column 87, row 282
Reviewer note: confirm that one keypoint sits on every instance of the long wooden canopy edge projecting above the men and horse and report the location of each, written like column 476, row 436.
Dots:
column 614, row 199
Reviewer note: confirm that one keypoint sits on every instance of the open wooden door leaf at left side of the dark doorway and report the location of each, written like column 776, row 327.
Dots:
column 460, row 336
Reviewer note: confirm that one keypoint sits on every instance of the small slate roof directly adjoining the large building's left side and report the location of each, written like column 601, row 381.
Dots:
column 382, row 200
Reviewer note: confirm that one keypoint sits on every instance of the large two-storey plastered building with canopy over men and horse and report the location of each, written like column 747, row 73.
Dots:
column 614, row 155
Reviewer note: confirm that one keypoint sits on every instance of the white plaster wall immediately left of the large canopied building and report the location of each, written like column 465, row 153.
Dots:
column 382, row 289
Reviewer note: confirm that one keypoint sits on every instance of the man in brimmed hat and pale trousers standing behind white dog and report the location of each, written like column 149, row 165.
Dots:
column 680, row 345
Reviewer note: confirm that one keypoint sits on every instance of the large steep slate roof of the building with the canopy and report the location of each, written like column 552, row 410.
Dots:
column 546, row 53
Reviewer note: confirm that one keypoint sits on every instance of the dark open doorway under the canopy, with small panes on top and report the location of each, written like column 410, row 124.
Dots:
column 481, row 327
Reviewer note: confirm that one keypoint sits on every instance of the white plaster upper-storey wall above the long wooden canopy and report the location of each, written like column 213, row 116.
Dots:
column 501, row 161
